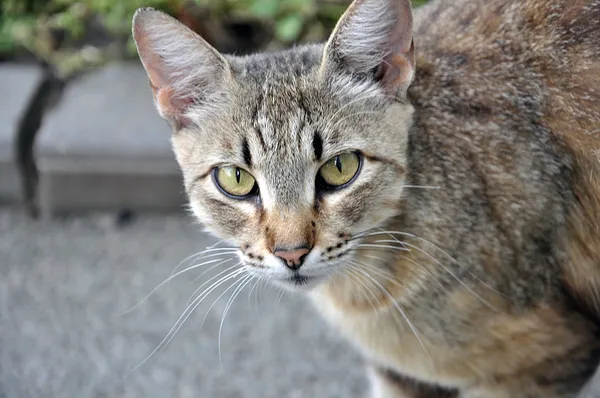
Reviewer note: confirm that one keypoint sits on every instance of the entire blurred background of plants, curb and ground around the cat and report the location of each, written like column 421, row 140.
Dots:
column 92, row 219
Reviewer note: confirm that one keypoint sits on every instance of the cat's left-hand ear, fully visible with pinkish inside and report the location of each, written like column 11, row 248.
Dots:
column 182, row 67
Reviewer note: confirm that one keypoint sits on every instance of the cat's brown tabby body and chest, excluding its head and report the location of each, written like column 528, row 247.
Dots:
column 504, row 98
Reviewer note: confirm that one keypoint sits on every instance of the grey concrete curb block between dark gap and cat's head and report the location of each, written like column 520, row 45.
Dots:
column 104, row 147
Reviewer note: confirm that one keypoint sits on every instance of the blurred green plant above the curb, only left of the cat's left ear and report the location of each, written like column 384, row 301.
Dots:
column 58, row 32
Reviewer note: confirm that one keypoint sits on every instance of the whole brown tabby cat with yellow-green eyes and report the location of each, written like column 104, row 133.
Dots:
column 432, row 183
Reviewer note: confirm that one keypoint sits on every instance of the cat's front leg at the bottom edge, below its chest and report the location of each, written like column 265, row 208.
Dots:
column 389, row 384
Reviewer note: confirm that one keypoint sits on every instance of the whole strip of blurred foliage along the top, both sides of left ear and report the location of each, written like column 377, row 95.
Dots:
column 63, row 33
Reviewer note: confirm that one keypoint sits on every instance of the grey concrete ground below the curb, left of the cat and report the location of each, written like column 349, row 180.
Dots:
column 66, row 283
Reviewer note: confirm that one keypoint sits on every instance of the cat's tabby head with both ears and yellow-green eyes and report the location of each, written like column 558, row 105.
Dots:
column 289, row 155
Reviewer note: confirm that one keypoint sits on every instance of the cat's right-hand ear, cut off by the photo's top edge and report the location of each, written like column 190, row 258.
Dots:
column 375, row 36
